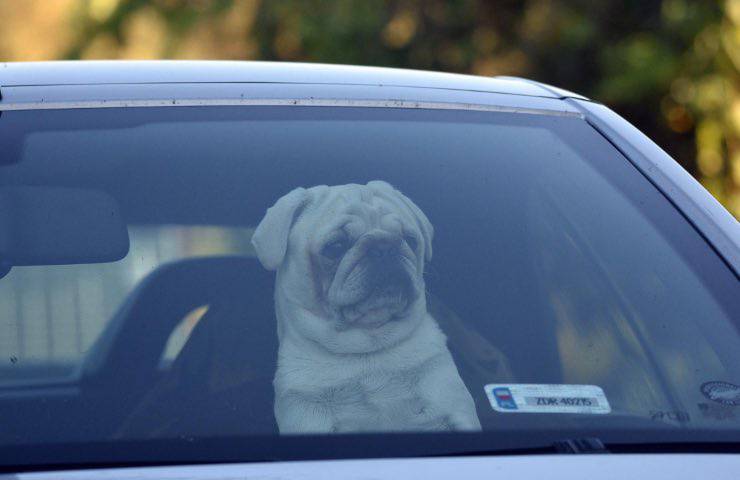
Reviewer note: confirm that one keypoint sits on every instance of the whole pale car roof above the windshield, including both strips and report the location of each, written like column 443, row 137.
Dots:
column 115, row 84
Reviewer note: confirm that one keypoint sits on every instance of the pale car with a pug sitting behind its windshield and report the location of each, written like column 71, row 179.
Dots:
column 587, row 286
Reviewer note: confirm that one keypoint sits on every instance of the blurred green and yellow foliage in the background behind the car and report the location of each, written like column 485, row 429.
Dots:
column 669, row 66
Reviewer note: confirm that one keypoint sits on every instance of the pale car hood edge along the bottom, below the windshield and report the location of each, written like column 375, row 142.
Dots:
column 570, row 467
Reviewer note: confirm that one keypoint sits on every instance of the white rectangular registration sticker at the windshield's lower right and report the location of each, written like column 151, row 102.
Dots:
column 543, row 398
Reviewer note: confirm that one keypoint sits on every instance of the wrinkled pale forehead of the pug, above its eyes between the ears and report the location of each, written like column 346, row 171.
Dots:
column 355, row 209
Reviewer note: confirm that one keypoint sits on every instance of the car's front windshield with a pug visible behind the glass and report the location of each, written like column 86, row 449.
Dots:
column 256, row 272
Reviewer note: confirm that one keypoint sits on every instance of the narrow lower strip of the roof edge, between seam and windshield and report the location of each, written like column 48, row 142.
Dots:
column 131, row 95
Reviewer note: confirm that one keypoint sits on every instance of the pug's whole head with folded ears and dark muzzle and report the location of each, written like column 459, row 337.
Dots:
column 350, row 263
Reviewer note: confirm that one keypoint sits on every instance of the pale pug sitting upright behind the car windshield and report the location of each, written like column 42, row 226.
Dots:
column 358, row 351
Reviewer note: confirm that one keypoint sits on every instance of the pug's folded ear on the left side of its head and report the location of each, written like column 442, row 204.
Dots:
column 270, row 238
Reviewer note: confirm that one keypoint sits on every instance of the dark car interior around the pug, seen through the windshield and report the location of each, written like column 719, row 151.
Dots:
column 522, row 284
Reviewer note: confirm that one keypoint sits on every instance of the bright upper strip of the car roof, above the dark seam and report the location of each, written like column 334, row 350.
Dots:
column 68, row 73
